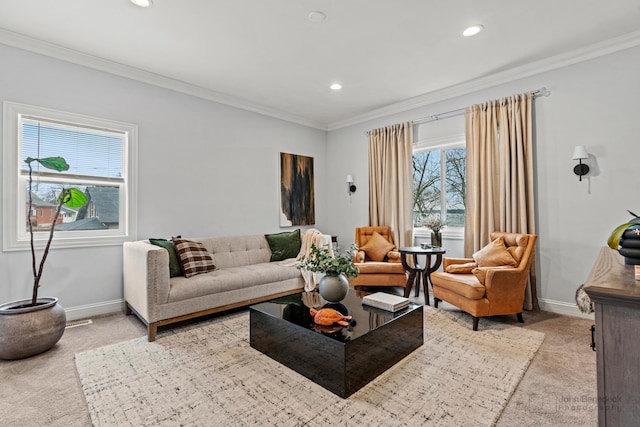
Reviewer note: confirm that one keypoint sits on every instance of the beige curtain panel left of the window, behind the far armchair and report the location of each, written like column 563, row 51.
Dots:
column 390, row 180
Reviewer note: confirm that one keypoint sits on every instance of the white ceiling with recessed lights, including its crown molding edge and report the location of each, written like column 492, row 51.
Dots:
column 266, row 56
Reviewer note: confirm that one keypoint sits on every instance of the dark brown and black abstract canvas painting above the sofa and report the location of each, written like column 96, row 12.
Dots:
column 297, row 206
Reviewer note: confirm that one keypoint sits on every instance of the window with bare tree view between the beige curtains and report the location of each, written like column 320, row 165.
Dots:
column 439, row 183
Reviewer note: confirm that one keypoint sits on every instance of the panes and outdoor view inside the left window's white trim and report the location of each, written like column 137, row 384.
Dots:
column 95, row 157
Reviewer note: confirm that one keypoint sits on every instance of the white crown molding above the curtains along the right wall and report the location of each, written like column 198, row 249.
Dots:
column 596, row 50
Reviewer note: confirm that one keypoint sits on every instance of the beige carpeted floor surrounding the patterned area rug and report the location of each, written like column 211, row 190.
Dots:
column 45, row 390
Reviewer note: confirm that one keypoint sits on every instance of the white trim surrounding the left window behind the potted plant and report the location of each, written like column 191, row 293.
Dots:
column 13, row 196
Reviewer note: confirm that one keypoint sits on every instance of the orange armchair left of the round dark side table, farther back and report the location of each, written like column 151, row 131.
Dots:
column 378, row 259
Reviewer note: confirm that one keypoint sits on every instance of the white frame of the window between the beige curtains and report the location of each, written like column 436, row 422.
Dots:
column 432, row 144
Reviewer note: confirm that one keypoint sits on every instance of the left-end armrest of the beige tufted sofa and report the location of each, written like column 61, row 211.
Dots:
column 146, row 277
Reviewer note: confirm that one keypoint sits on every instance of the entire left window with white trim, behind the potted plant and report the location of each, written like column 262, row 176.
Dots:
column 101, row 154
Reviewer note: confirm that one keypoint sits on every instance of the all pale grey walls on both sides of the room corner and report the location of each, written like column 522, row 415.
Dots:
column 210, row 169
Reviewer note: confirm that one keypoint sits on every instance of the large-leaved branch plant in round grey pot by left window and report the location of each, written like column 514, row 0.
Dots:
column 32, row 326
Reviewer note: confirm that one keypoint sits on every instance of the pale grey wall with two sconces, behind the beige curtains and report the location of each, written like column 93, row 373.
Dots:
column 593, row 103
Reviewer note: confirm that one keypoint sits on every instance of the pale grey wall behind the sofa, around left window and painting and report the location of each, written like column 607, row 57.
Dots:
column 204, row 169
